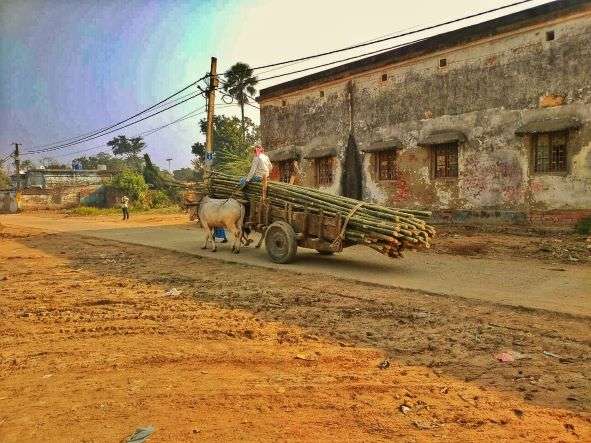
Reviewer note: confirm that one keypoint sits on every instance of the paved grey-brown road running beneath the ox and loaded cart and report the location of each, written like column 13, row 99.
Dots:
column 517, row 281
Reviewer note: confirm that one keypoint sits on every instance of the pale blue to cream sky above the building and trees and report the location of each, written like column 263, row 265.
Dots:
column 68, row 67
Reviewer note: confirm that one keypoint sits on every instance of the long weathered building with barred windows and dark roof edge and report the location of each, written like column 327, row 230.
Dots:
column 489, row 121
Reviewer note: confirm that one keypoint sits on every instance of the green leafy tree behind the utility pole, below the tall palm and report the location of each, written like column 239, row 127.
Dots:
column 231, row 148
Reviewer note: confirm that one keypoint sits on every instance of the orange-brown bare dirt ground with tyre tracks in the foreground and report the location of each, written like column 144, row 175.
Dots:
column 93, row 347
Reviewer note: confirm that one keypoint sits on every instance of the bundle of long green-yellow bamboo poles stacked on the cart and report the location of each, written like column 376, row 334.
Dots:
column 387, row 230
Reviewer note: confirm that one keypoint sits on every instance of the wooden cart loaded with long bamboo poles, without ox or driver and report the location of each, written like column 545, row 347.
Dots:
column 291, row 216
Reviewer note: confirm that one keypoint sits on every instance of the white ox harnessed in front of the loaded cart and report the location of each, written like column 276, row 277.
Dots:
column 225, row 213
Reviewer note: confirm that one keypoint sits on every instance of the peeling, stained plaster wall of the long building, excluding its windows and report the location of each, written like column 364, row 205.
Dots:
column 486, row 91
